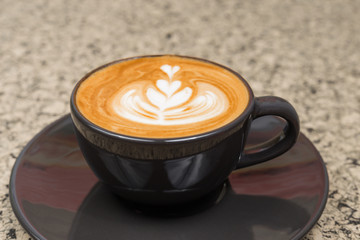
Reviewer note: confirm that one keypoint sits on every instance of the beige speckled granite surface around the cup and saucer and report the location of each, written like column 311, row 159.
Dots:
column 304, row 51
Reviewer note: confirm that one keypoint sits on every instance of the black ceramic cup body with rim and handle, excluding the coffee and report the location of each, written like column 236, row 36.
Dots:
column 178, row 170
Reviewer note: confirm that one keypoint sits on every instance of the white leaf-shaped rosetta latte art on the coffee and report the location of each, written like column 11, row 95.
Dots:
column 168, row 102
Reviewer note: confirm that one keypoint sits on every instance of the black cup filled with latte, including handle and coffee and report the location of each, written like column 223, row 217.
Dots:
column 168, row 129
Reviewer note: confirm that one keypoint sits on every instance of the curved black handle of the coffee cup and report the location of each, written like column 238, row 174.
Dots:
column 271, row 105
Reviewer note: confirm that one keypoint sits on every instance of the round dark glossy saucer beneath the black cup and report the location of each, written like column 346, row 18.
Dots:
column 55, row 195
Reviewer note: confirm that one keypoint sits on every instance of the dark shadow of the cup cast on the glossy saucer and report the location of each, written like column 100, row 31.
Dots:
column 221, row 215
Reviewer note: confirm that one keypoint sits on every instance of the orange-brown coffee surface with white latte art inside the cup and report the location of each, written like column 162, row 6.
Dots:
column 162, row 97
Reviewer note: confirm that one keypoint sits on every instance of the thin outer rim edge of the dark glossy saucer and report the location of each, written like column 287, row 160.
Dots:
column 25, row 223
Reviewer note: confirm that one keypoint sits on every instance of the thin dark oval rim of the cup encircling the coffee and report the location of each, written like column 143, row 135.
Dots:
column 233, row 124
